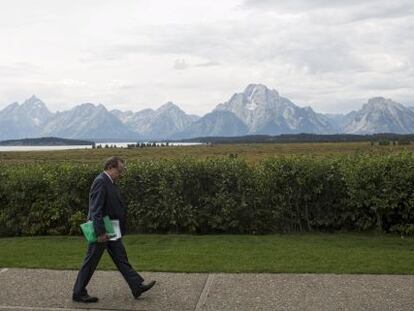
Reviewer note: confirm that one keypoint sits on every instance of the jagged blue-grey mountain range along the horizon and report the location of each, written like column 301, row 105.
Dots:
column 255, row 111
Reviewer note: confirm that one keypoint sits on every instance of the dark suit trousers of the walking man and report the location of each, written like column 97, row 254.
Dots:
column 119, row 256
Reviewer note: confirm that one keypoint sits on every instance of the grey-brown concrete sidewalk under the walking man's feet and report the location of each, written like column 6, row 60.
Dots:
column 38, row 289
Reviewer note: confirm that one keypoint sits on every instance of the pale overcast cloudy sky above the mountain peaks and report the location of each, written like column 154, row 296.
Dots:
column 132, row 54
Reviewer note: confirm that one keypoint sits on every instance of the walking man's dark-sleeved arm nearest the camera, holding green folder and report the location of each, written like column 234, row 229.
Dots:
column 96, row 206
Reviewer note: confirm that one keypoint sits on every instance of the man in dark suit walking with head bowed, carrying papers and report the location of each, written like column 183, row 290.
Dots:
column 105, row 199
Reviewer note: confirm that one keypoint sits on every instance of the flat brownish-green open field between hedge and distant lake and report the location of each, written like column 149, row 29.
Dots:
column 251, row 152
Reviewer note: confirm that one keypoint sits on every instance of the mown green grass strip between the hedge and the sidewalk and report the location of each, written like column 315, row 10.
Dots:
column 293, row 253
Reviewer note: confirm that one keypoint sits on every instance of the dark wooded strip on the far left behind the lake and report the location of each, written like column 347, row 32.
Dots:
column 45, row 141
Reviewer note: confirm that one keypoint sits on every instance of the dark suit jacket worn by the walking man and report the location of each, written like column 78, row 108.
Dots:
column 105, row 199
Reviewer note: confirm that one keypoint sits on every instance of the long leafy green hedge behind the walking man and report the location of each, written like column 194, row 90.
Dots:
column 284, row 194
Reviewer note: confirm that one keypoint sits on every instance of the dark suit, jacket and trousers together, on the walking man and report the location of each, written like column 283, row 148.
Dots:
column 105, row 199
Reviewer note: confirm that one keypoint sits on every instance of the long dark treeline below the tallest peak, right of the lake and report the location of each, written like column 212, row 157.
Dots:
column 304, row 138
